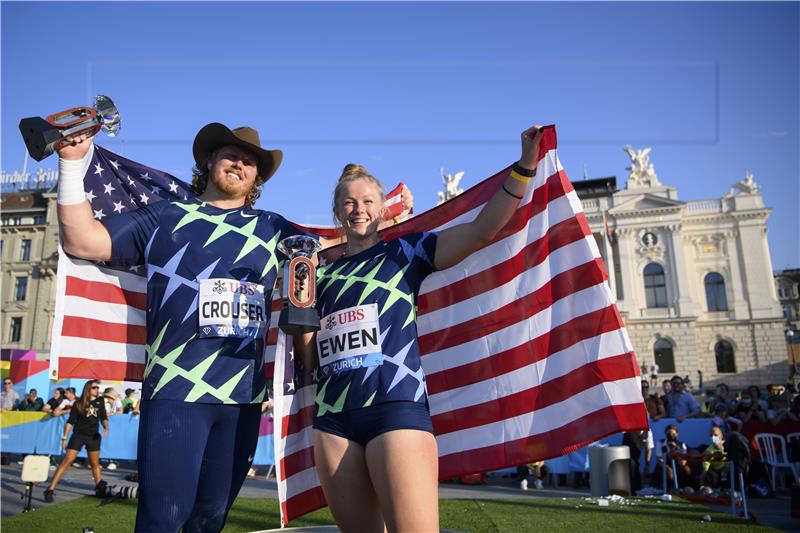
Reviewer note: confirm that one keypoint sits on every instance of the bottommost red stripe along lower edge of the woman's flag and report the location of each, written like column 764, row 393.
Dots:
column 568, row 438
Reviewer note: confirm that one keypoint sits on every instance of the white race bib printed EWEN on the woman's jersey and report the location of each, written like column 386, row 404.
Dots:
column 349, row 339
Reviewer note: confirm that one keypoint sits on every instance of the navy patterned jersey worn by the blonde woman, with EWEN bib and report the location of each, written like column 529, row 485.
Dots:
column 367, row 345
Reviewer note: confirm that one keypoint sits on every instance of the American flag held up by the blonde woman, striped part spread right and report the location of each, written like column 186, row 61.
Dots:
column 524, row 350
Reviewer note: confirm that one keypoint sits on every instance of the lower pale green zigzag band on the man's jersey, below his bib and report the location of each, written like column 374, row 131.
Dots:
column 195, row 375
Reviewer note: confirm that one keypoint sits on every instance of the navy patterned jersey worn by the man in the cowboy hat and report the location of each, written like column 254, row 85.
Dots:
column 210, row 277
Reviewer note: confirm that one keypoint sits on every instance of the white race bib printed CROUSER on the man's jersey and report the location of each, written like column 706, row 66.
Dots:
column 231, row 308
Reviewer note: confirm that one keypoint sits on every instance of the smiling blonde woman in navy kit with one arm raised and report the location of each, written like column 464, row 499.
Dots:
column 374, row 446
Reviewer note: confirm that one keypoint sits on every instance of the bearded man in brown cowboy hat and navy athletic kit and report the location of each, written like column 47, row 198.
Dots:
column 212, row 265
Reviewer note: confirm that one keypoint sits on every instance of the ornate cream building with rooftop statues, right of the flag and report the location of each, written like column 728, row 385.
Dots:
column 693, row 280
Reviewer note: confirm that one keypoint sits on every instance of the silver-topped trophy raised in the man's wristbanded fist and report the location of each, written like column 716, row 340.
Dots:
column 44, row 136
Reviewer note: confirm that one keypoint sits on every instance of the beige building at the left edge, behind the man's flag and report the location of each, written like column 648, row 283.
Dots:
column 29, row 249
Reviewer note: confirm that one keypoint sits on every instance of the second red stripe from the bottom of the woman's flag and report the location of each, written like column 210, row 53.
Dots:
column 614, row 368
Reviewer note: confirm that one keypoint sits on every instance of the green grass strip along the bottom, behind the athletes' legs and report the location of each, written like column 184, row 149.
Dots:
column 535, row 514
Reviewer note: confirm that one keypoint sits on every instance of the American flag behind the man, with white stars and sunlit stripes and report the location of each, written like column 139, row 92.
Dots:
column 99, row 324
